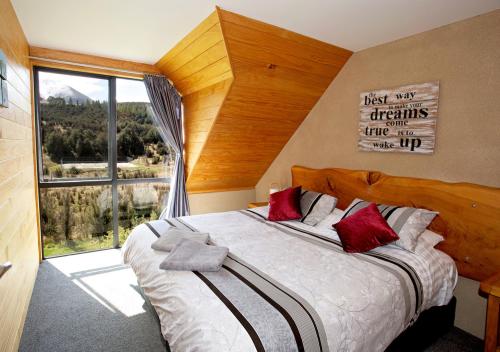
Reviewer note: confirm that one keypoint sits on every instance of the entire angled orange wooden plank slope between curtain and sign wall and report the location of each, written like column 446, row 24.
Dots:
column 246, row 86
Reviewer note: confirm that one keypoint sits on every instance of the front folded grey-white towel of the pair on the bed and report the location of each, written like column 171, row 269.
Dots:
column 190, row 255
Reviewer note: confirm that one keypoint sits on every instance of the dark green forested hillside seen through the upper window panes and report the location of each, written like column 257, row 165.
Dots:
column 78, row 133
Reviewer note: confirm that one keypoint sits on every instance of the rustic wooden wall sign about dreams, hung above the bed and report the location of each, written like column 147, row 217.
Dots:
column 400, row 119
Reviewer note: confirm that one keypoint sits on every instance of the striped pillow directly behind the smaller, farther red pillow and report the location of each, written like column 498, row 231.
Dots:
column 316, row 206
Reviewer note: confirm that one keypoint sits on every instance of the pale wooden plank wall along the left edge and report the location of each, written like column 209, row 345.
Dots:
column 18, row 214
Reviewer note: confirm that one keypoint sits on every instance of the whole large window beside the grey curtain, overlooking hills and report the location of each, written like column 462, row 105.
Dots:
column 103, row 166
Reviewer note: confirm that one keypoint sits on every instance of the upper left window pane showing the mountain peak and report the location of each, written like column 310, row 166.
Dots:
column 75, row 130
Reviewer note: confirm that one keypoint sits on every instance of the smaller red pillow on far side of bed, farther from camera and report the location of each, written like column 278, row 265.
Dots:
column 285, row 205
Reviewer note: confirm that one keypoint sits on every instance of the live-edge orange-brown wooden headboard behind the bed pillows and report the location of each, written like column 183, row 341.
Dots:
column 469, row 214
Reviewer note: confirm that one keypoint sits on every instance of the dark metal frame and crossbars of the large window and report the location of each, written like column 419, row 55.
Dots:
column 112, row 178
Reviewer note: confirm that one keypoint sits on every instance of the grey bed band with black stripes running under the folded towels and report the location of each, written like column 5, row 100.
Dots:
column 275, row 318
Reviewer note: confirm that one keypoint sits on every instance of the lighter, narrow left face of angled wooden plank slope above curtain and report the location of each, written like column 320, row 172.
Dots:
column 201, row 71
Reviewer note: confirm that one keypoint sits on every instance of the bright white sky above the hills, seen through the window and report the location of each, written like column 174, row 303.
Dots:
column 127, row 90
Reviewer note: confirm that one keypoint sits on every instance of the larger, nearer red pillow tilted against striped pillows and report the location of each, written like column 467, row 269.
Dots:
column 364, row 230
